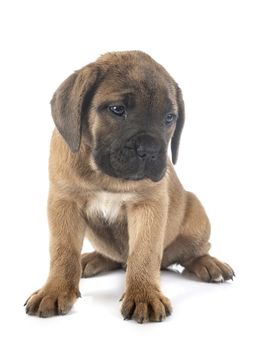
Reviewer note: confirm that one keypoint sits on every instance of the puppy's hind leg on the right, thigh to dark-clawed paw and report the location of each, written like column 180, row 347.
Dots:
column 190, row 249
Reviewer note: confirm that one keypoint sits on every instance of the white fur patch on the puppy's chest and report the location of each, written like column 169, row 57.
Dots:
column 107, row 204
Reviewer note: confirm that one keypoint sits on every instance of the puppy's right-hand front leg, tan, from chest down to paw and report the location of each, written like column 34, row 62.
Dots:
column 143, row 300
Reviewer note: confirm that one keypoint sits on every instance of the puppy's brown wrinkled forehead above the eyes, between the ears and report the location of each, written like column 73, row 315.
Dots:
column 138, row 82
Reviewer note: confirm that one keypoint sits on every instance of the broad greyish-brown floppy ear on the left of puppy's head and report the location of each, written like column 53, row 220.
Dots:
column 67, row 104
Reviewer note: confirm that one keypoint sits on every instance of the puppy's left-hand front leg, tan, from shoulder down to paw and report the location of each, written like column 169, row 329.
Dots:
column 61, row 289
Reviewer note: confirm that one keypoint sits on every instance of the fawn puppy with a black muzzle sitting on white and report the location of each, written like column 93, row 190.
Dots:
column 112, row 181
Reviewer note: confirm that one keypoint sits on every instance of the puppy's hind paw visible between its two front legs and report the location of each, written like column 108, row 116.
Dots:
column 95, row 263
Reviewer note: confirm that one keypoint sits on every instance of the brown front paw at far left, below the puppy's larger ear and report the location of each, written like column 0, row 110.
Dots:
column 51, row 300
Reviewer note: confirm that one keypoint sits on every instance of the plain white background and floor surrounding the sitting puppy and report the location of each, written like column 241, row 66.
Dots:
column 209, row 47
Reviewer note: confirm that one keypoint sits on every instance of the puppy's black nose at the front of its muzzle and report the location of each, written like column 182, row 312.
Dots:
column 147, row 147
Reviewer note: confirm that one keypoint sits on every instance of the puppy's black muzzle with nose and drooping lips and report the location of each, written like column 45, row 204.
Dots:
column 142, row 156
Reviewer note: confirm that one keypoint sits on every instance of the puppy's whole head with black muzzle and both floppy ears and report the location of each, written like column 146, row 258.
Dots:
column 126, row 108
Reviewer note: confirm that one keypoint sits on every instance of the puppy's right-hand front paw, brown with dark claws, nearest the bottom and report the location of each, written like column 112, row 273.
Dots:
column 144, row 305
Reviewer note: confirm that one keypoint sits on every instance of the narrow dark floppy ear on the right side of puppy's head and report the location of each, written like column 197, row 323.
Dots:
column 179, row 126
